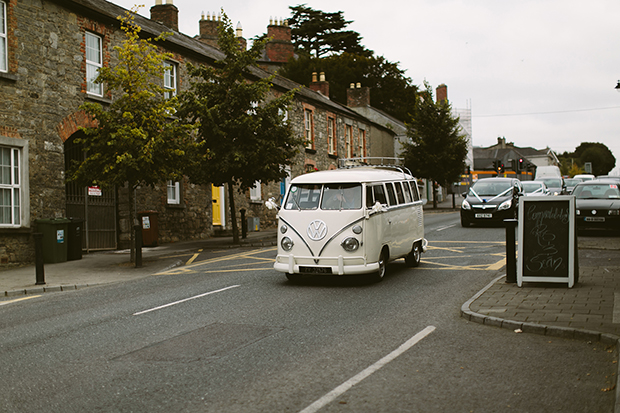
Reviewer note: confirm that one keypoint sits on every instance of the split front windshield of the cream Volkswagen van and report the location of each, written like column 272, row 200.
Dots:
column 335, row 196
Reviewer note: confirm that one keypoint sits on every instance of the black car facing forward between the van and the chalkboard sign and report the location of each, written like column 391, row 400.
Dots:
column 491, row 200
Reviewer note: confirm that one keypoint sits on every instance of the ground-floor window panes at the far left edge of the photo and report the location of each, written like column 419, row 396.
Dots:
column 10, row 187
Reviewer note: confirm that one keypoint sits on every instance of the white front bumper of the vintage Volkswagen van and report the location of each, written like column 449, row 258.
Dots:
column 338, row 266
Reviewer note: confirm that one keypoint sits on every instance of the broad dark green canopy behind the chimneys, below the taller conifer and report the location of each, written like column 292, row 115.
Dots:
column 392, row 92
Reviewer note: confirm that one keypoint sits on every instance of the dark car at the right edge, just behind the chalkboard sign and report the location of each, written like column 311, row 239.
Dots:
column 597, row 205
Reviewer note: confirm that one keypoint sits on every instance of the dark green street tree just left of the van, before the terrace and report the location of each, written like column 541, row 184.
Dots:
column 243, row 136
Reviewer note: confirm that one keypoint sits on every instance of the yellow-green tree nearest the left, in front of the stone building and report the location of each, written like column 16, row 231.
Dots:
column 136, row 141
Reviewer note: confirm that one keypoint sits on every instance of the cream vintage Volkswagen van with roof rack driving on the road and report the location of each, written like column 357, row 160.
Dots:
column 350, row 221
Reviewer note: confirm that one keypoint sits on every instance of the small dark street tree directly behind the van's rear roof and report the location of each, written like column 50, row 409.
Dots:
column 437, row 149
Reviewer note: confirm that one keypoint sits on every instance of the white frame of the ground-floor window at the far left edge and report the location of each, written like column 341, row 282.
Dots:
column 17, row 185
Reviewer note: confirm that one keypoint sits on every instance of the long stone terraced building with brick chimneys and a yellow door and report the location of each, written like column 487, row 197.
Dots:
column 51, row 50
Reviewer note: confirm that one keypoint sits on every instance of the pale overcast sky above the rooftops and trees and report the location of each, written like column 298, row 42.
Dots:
column 540, row 73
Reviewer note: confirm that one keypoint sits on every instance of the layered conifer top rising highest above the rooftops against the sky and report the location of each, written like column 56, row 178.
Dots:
column 318, row 33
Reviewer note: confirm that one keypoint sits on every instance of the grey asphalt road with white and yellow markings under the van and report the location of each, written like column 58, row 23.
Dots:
column 226, row 333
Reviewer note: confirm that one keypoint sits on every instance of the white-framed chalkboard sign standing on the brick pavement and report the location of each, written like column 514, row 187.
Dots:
column 547, row 241
